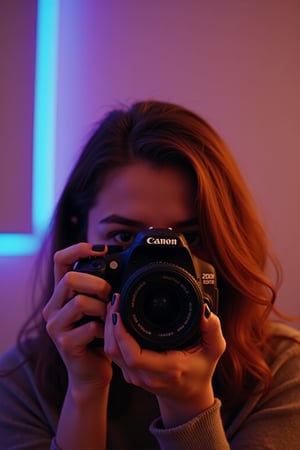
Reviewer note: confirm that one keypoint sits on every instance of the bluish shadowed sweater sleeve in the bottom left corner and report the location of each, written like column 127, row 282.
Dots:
column 26, row 422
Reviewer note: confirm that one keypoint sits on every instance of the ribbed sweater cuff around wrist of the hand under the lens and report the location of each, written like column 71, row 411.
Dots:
column 204, row 432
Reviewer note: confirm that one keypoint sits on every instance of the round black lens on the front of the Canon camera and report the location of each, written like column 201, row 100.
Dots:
column 161, row 306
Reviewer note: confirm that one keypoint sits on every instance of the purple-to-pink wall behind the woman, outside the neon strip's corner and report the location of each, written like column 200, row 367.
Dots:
column 234, row 62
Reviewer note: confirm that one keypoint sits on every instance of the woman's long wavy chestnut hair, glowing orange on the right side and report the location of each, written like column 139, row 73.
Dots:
column 232, row 237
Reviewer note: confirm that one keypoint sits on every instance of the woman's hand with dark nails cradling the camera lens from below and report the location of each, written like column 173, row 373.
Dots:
column 181, row 380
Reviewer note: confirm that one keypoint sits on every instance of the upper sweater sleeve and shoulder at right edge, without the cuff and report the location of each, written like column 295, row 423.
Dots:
column 272, row 420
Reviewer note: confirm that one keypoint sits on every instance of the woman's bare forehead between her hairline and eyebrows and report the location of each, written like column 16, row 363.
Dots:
column 147, row 193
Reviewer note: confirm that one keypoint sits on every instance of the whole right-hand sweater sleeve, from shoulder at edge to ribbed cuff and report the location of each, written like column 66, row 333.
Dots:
column 268, row 421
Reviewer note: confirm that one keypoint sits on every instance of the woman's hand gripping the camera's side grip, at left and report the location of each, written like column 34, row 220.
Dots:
column 75, row 295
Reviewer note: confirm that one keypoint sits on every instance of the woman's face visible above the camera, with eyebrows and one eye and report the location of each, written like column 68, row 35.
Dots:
column 140, row 196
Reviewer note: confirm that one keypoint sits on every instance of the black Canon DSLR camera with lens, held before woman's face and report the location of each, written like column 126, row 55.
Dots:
column 163, row 288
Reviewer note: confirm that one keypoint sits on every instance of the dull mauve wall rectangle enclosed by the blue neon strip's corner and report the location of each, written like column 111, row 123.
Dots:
column 17, row 52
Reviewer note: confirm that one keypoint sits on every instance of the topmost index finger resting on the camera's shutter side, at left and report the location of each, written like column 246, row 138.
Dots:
column 65, row 259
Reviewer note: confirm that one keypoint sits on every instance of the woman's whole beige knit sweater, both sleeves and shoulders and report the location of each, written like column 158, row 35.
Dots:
column 269, row 421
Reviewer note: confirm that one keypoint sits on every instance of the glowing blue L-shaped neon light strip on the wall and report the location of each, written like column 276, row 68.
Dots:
column 44, row 132
